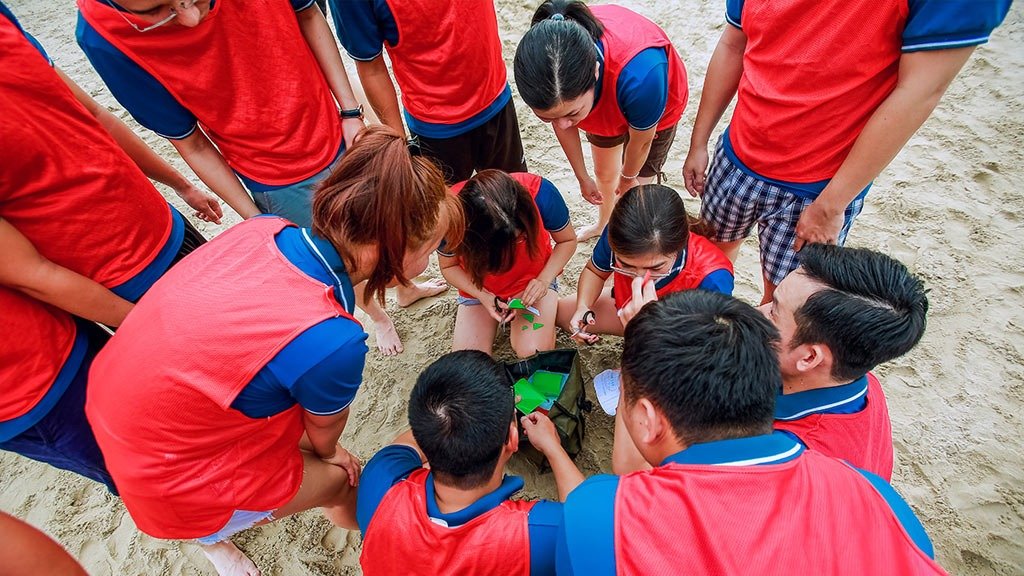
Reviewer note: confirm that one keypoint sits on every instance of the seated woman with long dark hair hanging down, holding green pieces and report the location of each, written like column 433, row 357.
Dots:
column 513, row 222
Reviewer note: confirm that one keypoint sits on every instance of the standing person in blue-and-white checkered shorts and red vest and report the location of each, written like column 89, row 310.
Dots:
column 821, row 111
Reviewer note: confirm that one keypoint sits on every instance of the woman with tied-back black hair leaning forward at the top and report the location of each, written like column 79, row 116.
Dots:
column 613, row 74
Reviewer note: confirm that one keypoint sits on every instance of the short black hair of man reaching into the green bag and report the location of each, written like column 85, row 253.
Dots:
column 460, row 412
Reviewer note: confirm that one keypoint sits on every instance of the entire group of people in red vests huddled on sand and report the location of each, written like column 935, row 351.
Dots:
column 747, row 441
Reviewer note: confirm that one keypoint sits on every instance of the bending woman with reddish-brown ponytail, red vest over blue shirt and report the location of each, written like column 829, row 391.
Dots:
column 222, row 400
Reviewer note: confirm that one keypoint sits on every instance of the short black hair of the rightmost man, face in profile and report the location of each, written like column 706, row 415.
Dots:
column 872, row 311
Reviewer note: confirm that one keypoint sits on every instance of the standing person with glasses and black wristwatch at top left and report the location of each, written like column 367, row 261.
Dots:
column 230, row 138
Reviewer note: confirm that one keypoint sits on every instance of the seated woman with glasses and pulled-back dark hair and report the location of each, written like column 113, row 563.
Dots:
column 649, row 239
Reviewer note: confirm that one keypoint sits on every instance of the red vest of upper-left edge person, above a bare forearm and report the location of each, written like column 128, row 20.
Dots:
column 65, row 184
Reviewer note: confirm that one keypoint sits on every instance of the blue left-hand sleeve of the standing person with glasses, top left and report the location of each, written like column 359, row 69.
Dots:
column 142, row 95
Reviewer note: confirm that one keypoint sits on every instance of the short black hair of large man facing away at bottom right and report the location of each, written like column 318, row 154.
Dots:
column 708, row 361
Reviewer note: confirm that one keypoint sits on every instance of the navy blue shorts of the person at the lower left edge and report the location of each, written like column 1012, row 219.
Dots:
column 64, row 438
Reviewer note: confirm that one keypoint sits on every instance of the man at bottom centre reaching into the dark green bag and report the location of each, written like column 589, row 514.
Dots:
column 438, row 502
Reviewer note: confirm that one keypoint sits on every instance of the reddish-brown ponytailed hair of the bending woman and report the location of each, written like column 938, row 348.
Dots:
column 381, row 195
